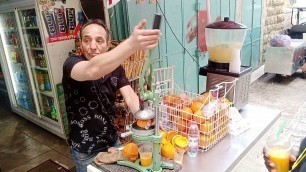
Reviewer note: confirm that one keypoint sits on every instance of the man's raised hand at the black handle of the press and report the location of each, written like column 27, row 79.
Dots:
column 144, row 38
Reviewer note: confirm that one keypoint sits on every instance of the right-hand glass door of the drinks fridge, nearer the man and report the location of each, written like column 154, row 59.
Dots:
column 39, row 66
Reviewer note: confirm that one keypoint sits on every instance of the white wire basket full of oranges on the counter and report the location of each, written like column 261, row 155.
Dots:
column 179, row 108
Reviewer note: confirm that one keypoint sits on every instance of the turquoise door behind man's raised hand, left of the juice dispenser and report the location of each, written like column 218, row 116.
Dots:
column 179, row 20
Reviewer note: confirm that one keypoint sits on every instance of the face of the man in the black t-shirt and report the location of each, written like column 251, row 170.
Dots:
column 94, row 41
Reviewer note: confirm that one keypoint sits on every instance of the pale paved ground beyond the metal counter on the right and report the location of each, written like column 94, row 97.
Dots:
column 288, row 96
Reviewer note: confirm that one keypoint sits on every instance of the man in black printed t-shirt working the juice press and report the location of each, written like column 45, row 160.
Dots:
column 90, row 82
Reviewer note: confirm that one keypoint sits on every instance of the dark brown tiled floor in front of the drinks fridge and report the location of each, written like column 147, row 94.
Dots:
column 24, row 145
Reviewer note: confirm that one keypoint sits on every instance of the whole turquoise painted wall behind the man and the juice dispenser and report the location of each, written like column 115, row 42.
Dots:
column 175, row 28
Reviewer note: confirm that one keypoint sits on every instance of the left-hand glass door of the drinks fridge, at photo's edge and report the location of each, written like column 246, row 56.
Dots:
column 16, row 63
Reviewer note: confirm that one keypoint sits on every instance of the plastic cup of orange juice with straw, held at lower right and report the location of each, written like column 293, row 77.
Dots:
column 278, row 149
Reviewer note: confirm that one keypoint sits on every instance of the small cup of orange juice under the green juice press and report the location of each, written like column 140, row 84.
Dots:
column 145, row 152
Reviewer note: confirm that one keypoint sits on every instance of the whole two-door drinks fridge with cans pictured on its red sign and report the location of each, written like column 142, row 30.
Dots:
column 36, row 38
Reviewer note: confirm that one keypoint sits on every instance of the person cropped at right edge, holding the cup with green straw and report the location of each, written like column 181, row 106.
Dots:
column 300, row 166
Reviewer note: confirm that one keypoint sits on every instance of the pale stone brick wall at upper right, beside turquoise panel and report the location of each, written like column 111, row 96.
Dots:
column 276, row 19
